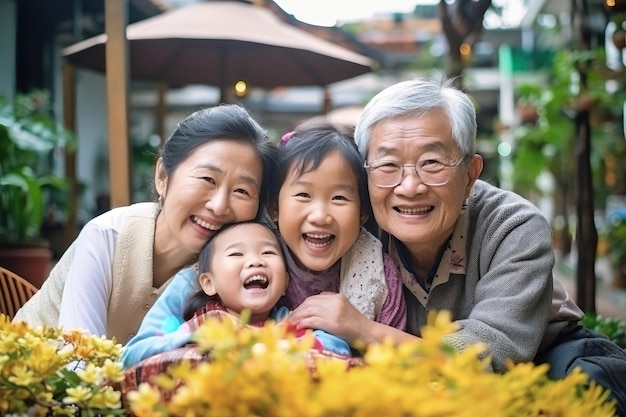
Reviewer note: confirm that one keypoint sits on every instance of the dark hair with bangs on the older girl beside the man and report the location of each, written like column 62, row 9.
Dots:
column 305, row 148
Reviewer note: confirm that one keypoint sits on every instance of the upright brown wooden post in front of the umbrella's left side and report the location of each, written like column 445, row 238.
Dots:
column 117, row 64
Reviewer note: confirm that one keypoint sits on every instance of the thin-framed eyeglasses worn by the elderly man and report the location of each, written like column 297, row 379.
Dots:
column 389, row 174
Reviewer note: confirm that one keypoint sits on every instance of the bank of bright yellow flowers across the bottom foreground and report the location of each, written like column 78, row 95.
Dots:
column 267, row 372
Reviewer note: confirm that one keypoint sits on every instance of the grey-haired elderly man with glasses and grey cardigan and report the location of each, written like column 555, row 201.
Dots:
column 462, row 245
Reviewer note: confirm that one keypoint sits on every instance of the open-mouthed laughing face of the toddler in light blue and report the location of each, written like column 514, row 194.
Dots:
column 247, row 270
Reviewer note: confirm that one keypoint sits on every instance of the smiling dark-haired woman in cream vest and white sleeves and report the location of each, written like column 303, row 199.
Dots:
column 212, row 171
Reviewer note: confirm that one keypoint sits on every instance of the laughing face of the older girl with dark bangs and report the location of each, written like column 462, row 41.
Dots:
column 319, row 213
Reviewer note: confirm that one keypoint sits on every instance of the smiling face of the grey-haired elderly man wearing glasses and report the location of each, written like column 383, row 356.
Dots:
column 422, row 217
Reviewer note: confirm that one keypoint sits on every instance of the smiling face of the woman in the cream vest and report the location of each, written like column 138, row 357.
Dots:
column 217, row 184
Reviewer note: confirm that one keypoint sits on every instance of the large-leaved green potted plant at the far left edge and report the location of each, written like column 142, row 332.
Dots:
column 28, row 135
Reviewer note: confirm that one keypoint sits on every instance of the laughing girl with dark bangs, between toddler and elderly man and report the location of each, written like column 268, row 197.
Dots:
column 321, row 207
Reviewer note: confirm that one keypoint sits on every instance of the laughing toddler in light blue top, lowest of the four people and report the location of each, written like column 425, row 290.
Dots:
column 241, row 268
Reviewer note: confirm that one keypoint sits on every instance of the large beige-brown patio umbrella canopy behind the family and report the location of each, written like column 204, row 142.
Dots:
column 221, row 42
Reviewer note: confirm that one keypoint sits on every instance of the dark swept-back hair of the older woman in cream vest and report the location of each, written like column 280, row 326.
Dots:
column 227, row 121
